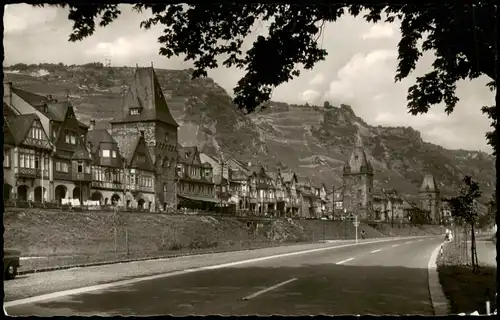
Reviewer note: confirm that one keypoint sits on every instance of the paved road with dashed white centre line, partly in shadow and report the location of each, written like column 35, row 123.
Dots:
column 378, row 278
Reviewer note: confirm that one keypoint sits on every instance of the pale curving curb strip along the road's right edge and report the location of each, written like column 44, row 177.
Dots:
column 438, row 299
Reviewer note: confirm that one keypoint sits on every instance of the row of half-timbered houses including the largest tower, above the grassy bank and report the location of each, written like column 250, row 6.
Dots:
column 50, row 156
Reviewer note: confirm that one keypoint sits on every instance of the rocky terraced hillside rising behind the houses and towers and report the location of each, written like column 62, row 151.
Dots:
column 312, row 140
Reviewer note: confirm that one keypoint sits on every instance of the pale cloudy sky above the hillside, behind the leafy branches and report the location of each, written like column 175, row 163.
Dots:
column 359, row 70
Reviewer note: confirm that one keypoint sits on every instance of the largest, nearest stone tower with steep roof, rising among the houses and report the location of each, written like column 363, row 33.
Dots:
column 145, row 108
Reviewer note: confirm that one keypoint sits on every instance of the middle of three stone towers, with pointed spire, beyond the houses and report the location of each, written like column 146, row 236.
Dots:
column 358, row 183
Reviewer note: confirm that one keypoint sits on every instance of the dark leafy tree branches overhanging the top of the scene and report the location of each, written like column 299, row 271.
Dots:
column 462, row 37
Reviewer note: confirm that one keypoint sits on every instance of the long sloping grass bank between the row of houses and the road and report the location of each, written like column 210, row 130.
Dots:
column 57, row 238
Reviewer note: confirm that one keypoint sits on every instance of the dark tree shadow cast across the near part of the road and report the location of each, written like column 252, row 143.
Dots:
column 320, row 289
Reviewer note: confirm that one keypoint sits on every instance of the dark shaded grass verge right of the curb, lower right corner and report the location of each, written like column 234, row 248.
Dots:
column 465, row 290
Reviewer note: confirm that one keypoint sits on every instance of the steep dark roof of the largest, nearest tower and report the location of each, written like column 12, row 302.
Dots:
column 145, row 98
